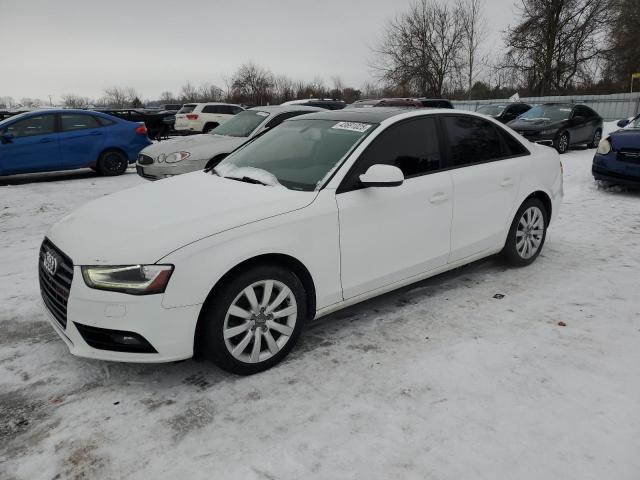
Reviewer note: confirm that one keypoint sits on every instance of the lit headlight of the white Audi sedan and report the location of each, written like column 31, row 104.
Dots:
column 131, row 279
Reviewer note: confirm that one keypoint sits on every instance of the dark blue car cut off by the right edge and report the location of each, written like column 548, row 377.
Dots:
column 617, row 159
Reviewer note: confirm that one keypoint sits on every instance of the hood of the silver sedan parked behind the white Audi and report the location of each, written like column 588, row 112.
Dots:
column 199, row 146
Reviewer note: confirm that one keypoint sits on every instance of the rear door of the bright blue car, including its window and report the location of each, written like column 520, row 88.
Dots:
column 82, row 138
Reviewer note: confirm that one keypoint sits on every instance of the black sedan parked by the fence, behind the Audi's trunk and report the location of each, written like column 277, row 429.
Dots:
column 560, row 125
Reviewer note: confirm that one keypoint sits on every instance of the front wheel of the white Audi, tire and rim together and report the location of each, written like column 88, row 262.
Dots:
column 229, row 312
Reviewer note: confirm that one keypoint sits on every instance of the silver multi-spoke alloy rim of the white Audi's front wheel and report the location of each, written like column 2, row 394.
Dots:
column 260, row 321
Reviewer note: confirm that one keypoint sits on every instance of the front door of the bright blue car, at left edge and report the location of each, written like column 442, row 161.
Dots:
column 33, row 146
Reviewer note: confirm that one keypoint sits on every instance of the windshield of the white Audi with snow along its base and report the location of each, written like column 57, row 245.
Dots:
column 297, row 155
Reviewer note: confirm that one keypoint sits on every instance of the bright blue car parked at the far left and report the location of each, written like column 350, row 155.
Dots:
column 50, row 140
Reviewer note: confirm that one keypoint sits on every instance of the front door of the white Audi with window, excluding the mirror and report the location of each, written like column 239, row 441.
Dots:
column 389, row 234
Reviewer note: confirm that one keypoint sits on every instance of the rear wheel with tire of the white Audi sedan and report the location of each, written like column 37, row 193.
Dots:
column 529, row 226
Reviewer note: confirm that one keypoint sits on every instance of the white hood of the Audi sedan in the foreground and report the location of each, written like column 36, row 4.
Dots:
column 145, row 223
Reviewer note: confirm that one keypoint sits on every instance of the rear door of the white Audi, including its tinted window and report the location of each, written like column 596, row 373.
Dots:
column 486, row 178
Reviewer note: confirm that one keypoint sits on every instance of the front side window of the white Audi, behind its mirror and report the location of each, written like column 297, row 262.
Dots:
column 412, row 146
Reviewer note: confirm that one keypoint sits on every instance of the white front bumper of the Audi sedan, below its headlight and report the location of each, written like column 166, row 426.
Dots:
column 170, row 331
